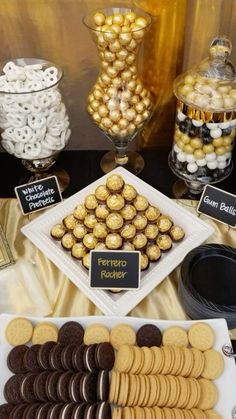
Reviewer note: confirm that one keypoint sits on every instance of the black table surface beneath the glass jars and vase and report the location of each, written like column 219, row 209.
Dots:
column 83, row 168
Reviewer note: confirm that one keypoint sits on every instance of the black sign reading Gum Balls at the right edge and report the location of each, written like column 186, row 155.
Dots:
column 219, row 205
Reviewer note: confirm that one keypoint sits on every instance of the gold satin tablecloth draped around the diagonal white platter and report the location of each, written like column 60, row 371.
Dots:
column 67, row 300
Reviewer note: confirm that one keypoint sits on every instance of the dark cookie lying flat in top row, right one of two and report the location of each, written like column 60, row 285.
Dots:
column 149, row 335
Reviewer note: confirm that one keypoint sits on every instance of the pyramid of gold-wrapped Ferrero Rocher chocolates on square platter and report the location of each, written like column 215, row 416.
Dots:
column 117, row 217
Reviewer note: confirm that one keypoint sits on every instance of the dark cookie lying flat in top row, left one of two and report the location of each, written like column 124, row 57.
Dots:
column 71, row 332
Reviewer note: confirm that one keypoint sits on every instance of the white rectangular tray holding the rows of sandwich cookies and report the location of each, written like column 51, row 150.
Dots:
column 225, row 384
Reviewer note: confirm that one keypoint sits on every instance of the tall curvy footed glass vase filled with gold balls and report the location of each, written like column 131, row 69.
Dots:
column 119, row 103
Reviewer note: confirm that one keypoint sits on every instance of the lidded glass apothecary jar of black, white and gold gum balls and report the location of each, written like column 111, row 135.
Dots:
column 205, row 120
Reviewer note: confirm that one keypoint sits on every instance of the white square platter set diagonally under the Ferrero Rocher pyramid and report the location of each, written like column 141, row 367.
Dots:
column 197, row 231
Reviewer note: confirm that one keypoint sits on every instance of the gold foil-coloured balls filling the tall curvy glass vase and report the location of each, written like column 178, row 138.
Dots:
column 119, row 103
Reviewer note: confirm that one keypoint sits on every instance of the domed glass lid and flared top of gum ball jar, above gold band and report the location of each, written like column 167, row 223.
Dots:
column 210, row 86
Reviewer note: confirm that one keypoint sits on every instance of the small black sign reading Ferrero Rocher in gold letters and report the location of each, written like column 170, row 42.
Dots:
column 115, row 269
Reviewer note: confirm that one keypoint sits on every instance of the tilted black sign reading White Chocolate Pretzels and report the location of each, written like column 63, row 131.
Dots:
column 38, row 195
